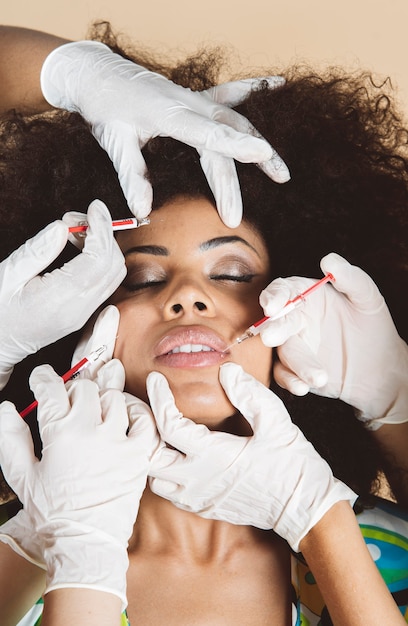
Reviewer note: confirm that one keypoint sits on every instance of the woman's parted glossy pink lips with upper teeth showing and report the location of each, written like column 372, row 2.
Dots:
column 194, row 346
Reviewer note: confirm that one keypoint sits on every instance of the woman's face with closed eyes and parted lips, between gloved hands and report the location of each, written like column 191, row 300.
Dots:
column 191, row 289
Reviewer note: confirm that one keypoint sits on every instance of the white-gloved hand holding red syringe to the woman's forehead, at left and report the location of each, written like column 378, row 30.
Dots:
column 37, row 310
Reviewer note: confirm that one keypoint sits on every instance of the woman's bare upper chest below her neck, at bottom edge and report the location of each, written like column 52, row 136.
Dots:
column 252, row 591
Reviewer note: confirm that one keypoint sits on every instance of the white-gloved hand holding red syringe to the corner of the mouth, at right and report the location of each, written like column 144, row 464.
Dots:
column 341, row 343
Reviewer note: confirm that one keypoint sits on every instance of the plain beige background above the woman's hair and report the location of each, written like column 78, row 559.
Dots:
column 372, row 34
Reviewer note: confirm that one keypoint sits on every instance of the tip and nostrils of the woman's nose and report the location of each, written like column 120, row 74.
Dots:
column 188, row 298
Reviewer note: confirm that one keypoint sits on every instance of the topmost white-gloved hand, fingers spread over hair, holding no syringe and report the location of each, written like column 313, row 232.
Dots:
column 127, row 105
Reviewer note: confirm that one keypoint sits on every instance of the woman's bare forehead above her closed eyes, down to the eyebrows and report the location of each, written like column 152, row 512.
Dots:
column 186, row 224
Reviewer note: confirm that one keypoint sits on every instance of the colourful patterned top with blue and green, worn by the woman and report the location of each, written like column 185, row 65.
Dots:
column 385, row 531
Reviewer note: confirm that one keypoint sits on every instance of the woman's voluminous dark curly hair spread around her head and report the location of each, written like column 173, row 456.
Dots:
column 345, row 144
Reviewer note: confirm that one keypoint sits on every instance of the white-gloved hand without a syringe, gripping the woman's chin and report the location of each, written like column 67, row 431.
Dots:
column 272, row 480
